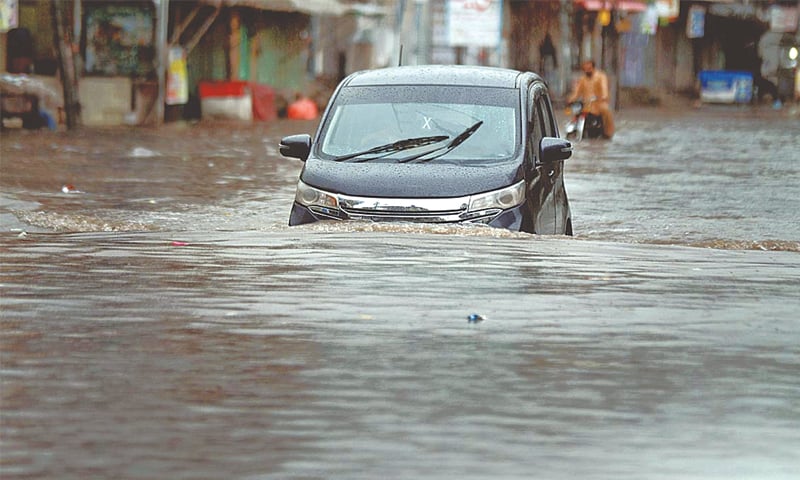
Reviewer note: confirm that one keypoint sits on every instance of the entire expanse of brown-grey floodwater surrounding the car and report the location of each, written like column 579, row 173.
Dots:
column 159, row 320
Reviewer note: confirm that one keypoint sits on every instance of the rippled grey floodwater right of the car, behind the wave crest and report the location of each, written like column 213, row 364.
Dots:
column 695, row 180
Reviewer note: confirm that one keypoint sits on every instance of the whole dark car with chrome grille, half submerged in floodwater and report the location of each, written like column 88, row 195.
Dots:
column 440, row 144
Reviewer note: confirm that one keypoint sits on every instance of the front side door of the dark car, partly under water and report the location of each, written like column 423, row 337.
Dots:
column 540, row 185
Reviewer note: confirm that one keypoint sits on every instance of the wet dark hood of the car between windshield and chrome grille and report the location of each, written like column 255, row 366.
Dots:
column 402, row 180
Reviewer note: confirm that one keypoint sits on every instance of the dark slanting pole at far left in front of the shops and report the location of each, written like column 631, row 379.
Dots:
column 63, row 43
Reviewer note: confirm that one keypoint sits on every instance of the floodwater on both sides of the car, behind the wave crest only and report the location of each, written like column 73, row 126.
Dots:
column 662, row 181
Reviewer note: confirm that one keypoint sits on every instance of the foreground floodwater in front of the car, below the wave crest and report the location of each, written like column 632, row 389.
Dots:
column 306, row 353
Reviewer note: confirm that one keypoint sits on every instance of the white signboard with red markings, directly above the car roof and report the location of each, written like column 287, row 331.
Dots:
column 474, row 23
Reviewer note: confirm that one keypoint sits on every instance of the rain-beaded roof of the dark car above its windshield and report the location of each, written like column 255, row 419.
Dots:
column 438, row 75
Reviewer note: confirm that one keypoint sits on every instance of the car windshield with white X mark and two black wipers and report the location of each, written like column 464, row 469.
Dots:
column 388, row 123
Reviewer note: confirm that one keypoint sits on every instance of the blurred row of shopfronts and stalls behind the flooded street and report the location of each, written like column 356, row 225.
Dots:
column 152, row 61
